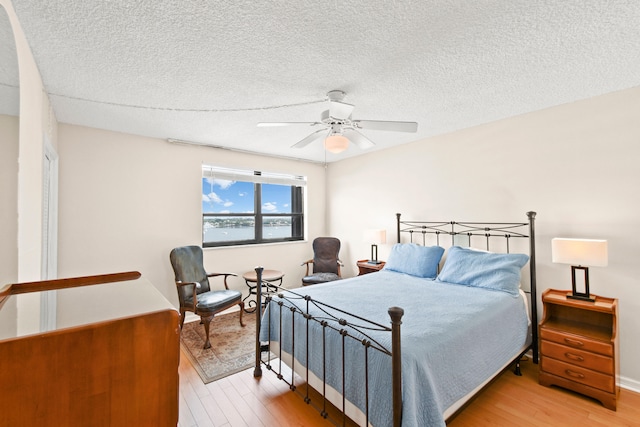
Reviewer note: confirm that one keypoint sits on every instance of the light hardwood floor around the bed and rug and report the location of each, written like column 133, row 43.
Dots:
column 241, row 400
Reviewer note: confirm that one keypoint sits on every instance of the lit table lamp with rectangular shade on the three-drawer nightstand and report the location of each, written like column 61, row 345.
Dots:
column 580, row 254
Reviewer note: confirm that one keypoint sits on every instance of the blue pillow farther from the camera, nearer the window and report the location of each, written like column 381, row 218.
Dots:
column 416, row 260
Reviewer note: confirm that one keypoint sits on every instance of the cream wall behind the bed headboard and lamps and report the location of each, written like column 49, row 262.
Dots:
column 575, row 164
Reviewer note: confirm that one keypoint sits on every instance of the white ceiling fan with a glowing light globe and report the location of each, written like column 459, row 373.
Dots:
column 338, row 128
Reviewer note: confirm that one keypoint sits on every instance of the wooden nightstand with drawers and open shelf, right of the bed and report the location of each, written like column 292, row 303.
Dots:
column 579, row 345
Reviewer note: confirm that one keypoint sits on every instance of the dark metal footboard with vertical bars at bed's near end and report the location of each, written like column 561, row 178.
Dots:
column 332, row 320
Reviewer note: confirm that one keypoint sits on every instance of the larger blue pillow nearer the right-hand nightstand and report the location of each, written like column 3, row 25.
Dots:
column 483, row 269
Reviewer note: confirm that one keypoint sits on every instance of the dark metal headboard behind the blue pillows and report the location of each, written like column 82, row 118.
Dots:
column 491, row 236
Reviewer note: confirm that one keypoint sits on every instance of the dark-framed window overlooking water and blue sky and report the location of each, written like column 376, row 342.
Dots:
column 248, row 207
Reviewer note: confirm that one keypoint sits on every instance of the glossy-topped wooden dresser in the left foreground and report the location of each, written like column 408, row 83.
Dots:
column 108, row 356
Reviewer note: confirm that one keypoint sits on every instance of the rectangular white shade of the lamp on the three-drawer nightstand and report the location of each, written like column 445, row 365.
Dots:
column 582, row 252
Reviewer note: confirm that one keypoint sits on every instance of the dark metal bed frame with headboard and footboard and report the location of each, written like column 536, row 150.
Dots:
column 333, row 319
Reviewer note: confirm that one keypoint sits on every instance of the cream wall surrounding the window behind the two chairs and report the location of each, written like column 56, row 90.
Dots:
column 126, row 201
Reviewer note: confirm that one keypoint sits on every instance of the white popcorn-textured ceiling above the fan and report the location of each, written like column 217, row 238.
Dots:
column 208, row 71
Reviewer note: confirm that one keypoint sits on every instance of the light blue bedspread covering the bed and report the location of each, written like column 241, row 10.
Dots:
column 453, row 338
